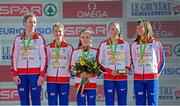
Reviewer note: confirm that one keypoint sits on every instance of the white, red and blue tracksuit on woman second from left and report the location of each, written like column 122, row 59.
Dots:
column 58, row 78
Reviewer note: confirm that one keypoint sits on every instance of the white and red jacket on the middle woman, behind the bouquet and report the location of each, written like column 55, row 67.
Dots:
column 77, row 53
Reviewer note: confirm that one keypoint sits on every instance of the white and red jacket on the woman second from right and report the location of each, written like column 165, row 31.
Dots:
column 122, row 55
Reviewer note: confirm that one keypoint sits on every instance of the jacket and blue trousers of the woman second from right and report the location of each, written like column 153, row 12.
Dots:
column 118, row 82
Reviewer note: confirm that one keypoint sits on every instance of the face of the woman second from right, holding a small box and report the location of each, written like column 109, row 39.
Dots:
column 114, row 30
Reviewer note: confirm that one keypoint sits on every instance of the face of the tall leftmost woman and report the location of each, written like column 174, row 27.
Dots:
column 30, row 24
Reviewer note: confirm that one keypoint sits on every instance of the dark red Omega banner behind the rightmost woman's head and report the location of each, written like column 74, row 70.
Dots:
column 162, row 29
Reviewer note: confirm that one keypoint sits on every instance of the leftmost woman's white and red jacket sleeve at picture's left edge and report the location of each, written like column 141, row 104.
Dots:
column 15, row 55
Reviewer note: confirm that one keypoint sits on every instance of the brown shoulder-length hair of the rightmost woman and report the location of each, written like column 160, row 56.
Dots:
column 148, row 29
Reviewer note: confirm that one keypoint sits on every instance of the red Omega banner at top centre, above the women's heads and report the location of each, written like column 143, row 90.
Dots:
column 92, row 9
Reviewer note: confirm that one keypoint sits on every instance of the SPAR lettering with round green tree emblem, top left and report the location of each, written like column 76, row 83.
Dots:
column 13, row 10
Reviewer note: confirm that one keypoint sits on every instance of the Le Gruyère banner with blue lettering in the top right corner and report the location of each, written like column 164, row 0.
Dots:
column 155, row 8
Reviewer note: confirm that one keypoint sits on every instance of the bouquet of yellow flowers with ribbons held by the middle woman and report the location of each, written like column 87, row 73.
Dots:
column 88, row 65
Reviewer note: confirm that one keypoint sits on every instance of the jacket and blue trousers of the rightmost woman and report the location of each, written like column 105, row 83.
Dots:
column 146, row 74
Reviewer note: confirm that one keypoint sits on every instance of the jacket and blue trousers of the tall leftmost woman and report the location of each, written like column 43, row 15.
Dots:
column 29, row 69
